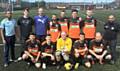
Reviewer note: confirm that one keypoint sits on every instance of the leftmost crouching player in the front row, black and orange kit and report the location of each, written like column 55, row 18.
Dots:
column 32, row 51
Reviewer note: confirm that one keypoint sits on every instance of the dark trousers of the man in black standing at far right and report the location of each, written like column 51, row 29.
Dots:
column 112, row 47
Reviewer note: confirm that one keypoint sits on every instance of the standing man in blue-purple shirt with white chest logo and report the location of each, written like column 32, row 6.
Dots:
column 41, row 24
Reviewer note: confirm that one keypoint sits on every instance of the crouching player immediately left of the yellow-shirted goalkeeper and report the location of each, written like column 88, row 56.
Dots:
column 48, row 48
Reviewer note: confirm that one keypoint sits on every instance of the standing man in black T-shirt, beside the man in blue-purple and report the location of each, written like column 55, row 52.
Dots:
column 25, row 24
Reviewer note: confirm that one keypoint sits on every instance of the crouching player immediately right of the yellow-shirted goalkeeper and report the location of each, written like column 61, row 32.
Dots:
column 79, row 53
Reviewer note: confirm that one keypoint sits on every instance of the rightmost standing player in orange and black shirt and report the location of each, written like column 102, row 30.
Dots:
column 89, row 26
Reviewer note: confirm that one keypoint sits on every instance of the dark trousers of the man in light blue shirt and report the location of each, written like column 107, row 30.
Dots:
column 9, row 45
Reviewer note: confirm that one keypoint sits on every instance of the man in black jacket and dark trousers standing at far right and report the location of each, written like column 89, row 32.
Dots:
column 110, row 35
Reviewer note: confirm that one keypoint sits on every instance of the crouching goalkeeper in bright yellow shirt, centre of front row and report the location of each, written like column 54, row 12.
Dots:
column 63, row 50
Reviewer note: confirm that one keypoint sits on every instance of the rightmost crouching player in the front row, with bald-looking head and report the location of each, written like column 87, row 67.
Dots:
column 97, row 50
